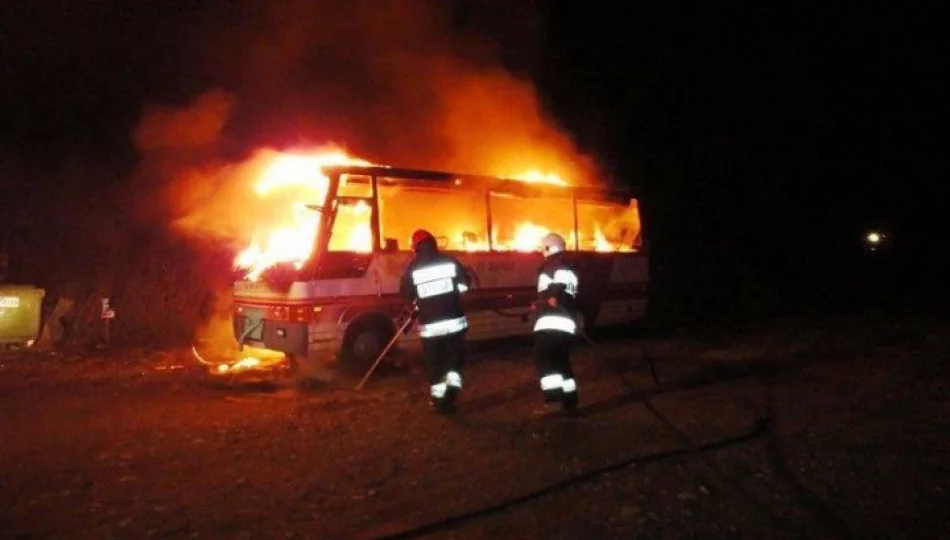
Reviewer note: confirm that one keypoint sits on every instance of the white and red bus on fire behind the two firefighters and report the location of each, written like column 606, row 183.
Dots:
column 331, row 303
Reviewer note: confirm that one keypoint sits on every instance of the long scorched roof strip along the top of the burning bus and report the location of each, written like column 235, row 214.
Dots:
column 492, row 183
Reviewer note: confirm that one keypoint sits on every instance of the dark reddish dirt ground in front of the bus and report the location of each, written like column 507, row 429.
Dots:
column 833, row 427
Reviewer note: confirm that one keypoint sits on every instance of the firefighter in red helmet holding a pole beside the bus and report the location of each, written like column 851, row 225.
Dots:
column 435, row 282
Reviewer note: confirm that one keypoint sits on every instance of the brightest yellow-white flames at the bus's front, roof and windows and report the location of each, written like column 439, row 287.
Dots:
column 302, row 177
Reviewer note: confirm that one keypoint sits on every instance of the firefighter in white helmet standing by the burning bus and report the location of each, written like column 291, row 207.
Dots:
column 555, row 324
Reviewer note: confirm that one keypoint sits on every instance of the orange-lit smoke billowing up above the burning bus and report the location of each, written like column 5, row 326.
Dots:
column 393, row 82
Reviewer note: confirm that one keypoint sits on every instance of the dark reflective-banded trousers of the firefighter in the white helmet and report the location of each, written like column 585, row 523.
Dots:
column 552, row 349
